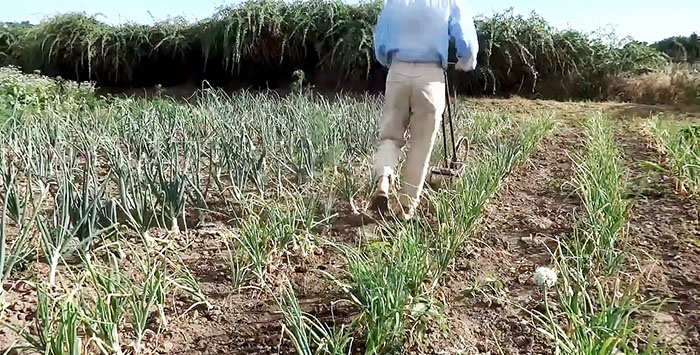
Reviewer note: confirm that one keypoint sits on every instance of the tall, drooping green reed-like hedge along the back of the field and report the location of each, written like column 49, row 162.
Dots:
column 271, row 39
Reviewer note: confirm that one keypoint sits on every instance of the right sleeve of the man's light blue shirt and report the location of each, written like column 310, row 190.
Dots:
column 462, row 28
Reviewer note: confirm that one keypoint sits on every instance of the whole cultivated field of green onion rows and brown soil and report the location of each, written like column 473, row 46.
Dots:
column 237, row 224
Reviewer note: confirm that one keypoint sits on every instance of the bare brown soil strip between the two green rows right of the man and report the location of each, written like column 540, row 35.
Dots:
column 496, row 274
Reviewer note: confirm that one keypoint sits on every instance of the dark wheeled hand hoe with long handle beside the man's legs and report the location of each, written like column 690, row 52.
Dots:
column 447, row 175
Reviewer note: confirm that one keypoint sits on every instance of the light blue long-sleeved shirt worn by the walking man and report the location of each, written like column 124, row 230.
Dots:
column 420, row 30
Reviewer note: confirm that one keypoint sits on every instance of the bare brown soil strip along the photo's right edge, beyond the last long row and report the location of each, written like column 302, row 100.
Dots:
column 662, row 224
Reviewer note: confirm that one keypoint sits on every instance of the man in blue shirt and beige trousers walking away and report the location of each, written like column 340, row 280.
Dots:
column 411, row 39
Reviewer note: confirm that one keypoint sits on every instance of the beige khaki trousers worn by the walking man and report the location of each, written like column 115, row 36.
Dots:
column 413, row 104
